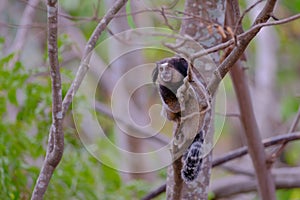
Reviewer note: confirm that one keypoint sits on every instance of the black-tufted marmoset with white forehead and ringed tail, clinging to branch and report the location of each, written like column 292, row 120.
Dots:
column 169, row 74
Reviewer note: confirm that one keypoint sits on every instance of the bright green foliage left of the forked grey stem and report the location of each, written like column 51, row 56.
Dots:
column 21, row 134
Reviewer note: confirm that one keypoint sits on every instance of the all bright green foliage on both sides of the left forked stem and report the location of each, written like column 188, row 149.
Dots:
column 24, row 136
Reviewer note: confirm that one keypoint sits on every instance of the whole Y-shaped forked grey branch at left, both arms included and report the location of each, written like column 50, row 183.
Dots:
column 59, row 107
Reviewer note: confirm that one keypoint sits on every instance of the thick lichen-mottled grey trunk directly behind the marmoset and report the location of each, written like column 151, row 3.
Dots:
column 204, row 15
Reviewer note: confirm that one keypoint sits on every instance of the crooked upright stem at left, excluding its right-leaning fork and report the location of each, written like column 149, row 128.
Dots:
column 56, row 137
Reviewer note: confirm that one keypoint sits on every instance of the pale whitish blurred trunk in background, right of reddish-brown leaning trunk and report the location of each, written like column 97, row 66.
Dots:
column 265, row 77
